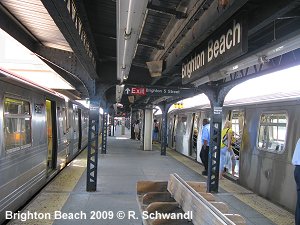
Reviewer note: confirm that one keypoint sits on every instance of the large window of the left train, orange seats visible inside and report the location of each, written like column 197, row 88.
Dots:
column 17, row 124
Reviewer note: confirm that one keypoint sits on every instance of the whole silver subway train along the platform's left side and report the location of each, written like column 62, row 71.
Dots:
column 40, row 132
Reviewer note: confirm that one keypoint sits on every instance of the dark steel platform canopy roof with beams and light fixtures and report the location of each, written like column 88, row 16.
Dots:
column 96, row 45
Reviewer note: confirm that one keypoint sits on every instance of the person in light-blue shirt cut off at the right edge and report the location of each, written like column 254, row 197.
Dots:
column 296, row 163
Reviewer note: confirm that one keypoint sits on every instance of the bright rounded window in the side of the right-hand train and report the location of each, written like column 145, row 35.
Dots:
column 272, row 132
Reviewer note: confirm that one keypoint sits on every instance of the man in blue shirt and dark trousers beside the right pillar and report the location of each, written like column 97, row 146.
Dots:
column 205, row 145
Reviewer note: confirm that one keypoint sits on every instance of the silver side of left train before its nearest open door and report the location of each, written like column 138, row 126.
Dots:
column 22, row 168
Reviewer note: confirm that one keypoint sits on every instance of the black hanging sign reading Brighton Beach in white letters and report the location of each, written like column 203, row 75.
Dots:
column 226, row 44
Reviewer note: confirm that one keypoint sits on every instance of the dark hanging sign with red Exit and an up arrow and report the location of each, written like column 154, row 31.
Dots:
column 155, row 91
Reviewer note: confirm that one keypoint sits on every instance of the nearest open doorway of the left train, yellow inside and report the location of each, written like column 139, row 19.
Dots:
column 52, row 135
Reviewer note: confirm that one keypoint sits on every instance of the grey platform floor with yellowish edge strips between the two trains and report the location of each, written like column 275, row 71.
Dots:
column 119, row 170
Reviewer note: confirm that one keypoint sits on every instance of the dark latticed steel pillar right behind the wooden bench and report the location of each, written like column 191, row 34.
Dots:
column 216, row 97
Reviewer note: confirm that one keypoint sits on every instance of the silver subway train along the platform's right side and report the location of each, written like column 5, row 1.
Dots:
column 267, row 127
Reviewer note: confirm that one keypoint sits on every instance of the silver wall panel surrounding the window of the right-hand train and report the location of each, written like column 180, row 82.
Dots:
column 267, row 173
